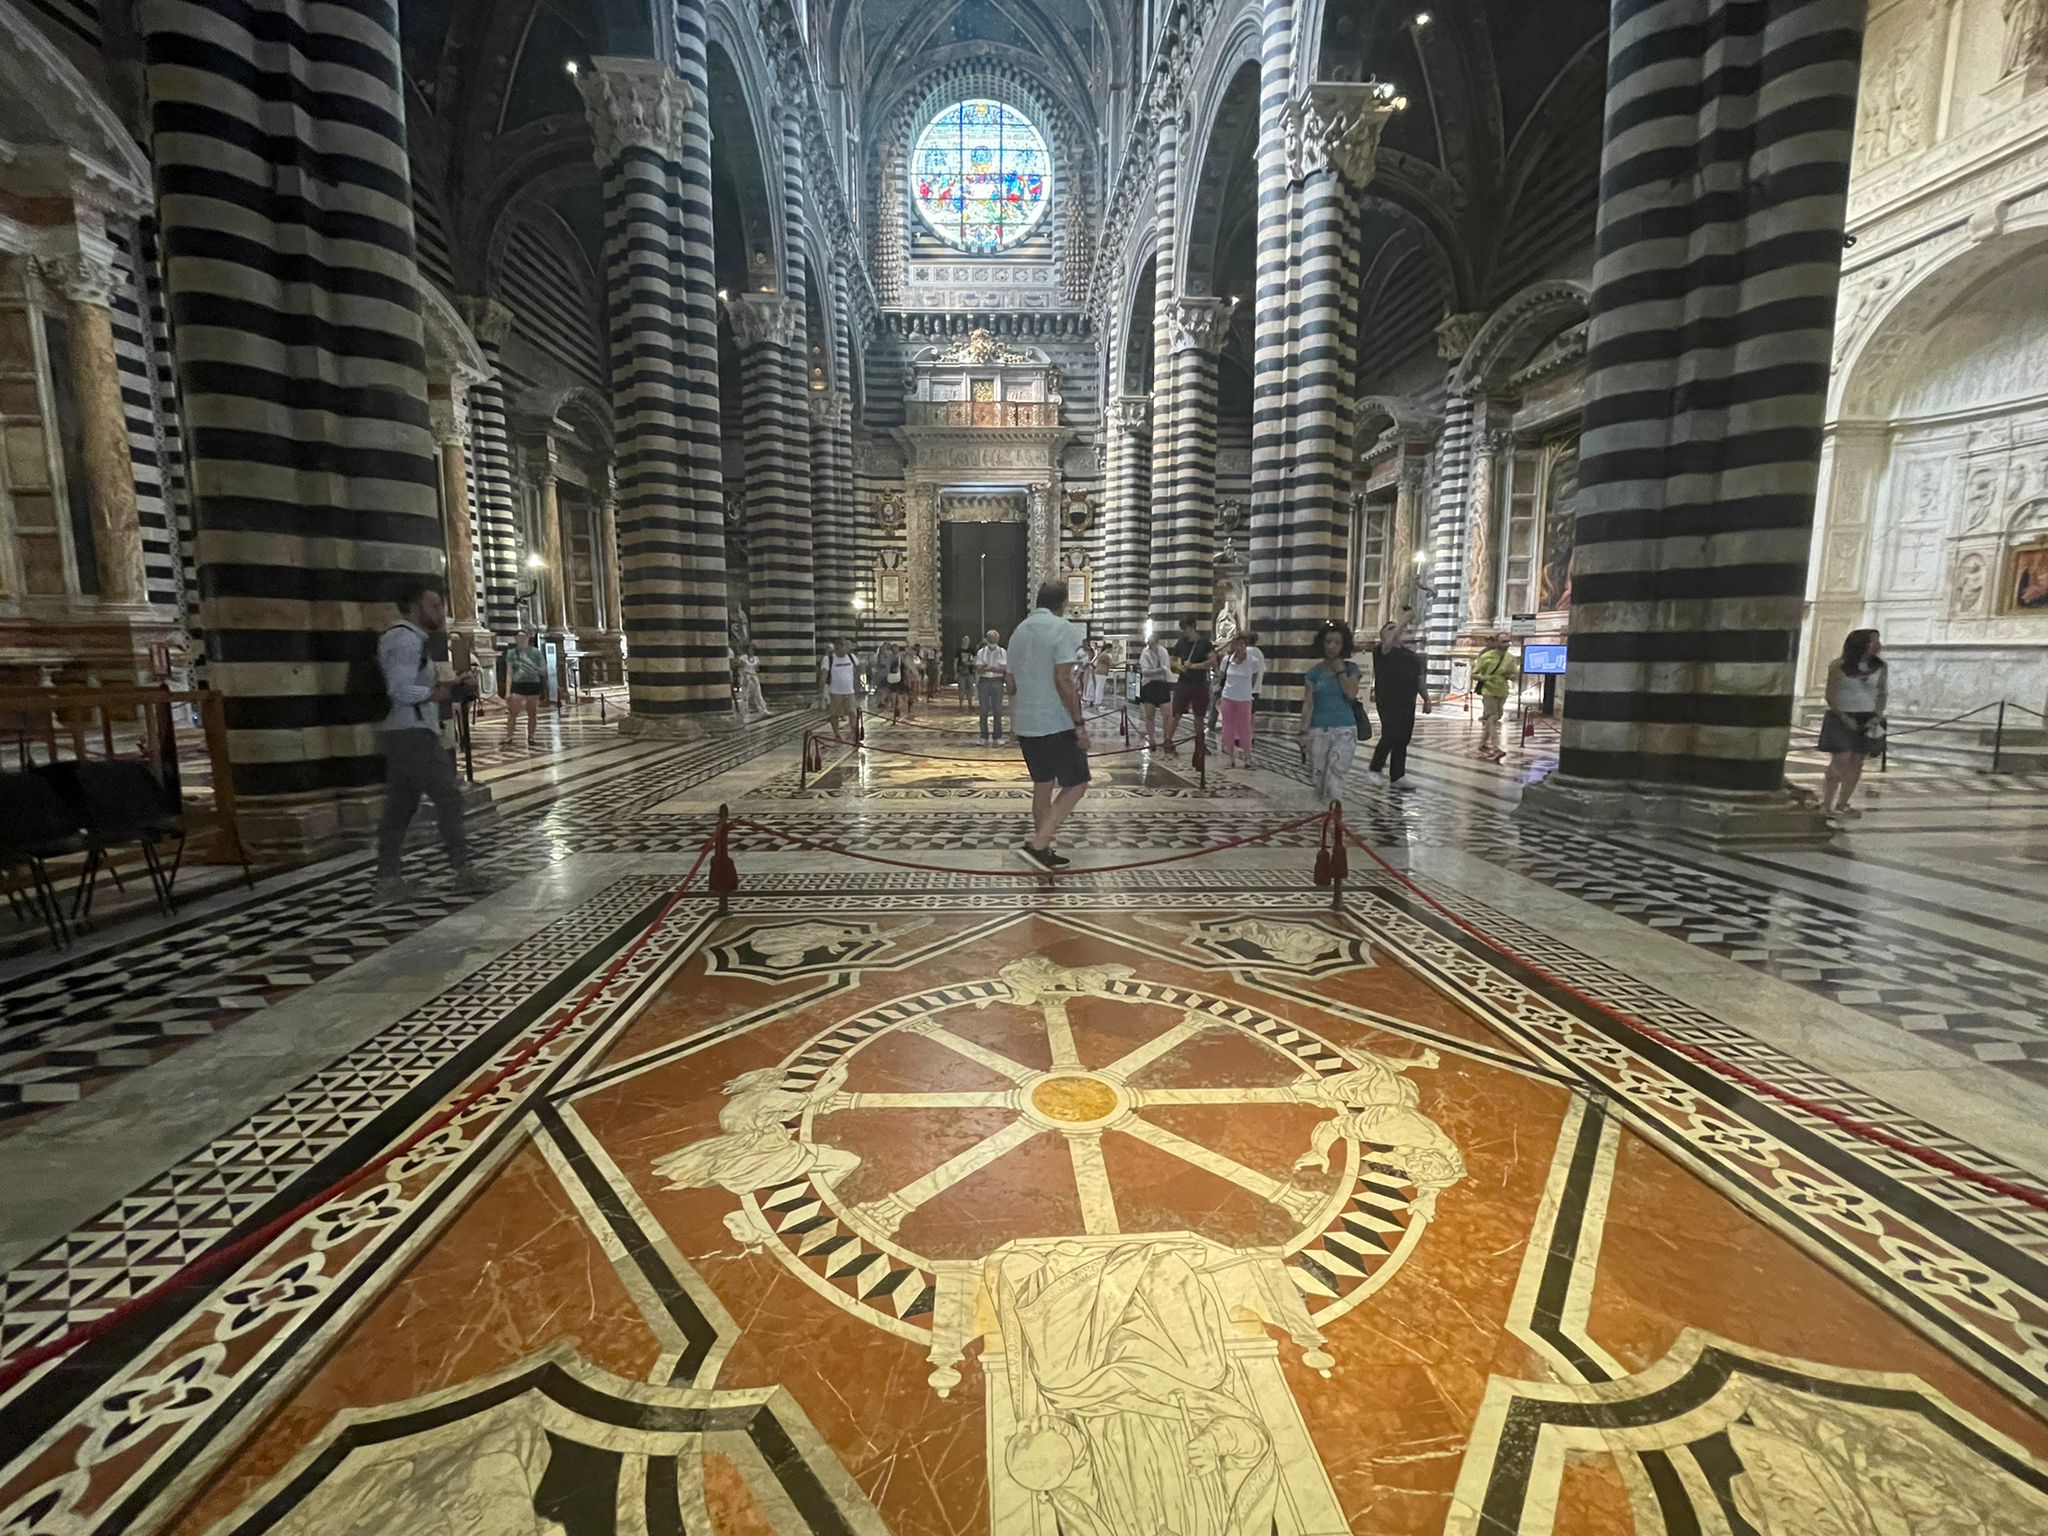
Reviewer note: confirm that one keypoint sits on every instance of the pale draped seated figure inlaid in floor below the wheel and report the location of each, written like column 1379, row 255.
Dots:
column 1129, row 1418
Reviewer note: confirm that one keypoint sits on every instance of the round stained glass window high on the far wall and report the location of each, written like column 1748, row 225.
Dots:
column 982, row 175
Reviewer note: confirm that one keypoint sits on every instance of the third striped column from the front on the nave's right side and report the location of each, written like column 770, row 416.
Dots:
column 1185, row 452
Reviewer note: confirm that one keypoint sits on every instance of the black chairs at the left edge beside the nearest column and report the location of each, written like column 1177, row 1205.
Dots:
column 89, row 810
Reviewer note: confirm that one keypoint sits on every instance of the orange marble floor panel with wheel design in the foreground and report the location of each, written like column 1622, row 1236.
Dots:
column 1037, row 1226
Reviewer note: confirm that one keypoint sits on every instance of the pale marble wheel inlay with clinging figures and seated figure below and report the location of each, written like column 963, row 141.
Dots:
column 1347, row 1205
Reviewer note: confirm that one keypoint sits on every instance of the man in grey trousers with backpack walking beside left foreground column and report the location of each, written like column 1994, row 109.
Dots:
column 417, row 763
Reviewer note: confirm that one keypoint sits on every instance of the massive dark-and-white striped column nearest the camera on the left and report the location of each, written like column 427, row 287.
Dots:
column 302, row 376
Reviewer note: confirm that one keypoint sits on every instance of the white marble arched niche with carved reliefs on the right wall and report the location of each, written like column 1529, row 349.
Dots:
column 1934, row 474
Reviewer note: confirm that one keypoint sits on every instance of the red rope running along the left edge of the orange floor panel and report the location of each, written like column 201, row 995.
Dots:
column 17, row 1369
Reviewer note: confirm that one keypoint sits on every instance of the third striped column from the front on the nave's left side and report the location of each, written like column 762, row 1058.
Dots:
column 775, row 425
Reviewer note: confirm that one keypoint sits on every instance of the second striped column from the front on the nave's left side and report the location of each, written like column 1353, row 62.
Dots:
column 654, row 155
